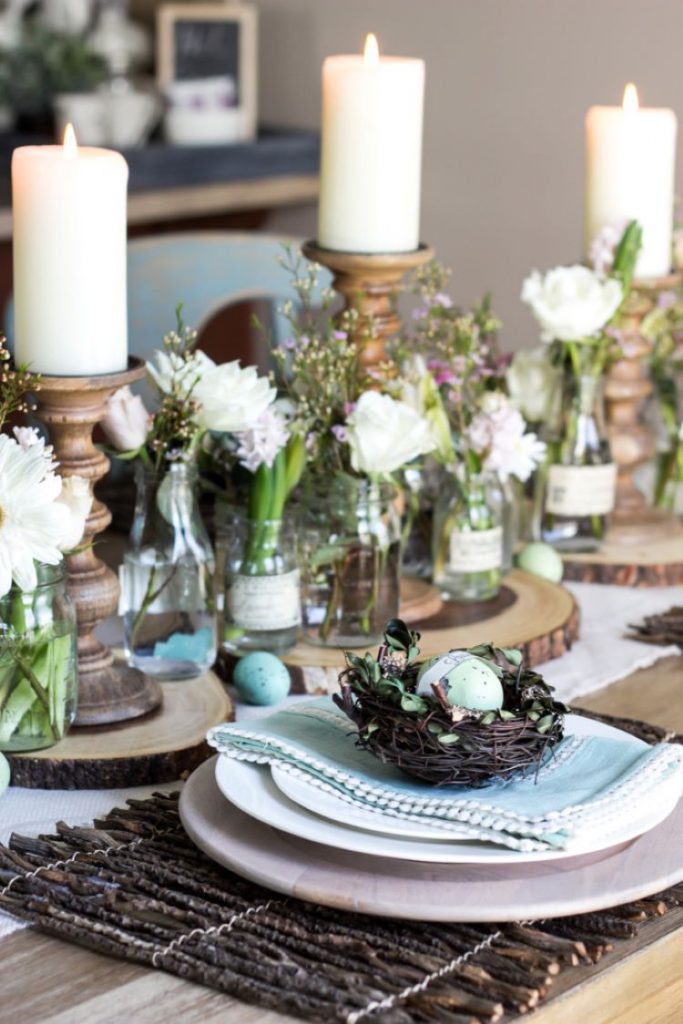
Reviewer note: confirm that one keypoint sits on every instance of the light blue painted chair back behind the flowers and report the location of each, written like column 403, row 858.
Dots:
column 207, row 272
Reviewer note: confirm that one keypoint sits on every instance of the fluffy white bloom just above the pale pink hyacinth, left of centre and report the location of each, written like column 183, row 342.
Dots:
column 232, row 399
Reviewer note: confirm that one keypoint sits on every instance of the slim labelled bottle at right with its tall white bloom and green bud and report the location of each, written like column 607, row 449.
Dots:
column 578, row 310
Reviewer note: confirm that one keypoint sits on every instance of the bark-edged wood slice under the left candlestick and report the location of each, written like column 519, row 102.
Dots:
column 163, row 747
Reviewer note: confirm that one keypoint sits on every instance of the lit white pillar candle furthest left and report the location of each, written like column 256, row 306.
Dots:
column 69, row 206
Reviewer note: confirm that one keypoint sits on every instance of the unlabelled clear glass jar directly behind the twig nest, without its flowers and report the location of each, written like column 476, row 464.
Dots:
column 350, row 556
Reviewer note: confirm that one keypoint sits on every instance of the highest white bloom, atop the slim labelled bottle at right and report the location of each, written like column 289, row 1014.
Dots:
column 572, row 304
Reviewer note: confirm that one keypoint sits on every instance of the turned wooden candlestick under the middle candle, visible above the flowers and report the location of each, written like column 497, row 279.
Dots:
column 371, row 283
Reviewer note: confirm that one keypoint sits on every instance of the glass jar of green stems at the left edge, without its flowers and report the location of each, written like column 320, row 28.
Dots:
column 38, row 665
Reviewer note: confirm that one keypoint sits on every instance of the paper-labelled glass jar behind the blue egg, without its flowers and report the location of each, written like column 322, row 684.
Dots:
column 258, row 565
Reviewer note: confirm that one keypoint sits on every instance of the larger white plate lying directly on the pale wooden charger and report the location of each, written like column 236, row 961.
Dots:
column 252, row 790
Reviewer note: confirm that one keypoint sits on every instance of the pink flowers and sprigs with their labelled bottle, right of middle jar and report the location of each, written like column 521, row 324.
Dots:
column 486, row 446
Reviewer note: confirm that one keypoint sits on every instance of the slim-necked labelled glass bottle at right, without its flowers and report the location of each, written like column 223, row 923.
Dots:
column 580, row 480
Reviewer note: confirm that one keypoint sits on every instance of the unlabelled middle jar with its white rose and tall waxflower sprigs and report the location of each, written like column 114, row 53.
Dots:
column 359, row 434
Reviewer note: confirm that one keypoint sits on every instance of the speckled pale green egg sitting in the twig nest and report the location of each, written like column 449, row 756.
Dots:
column 468, row 680
